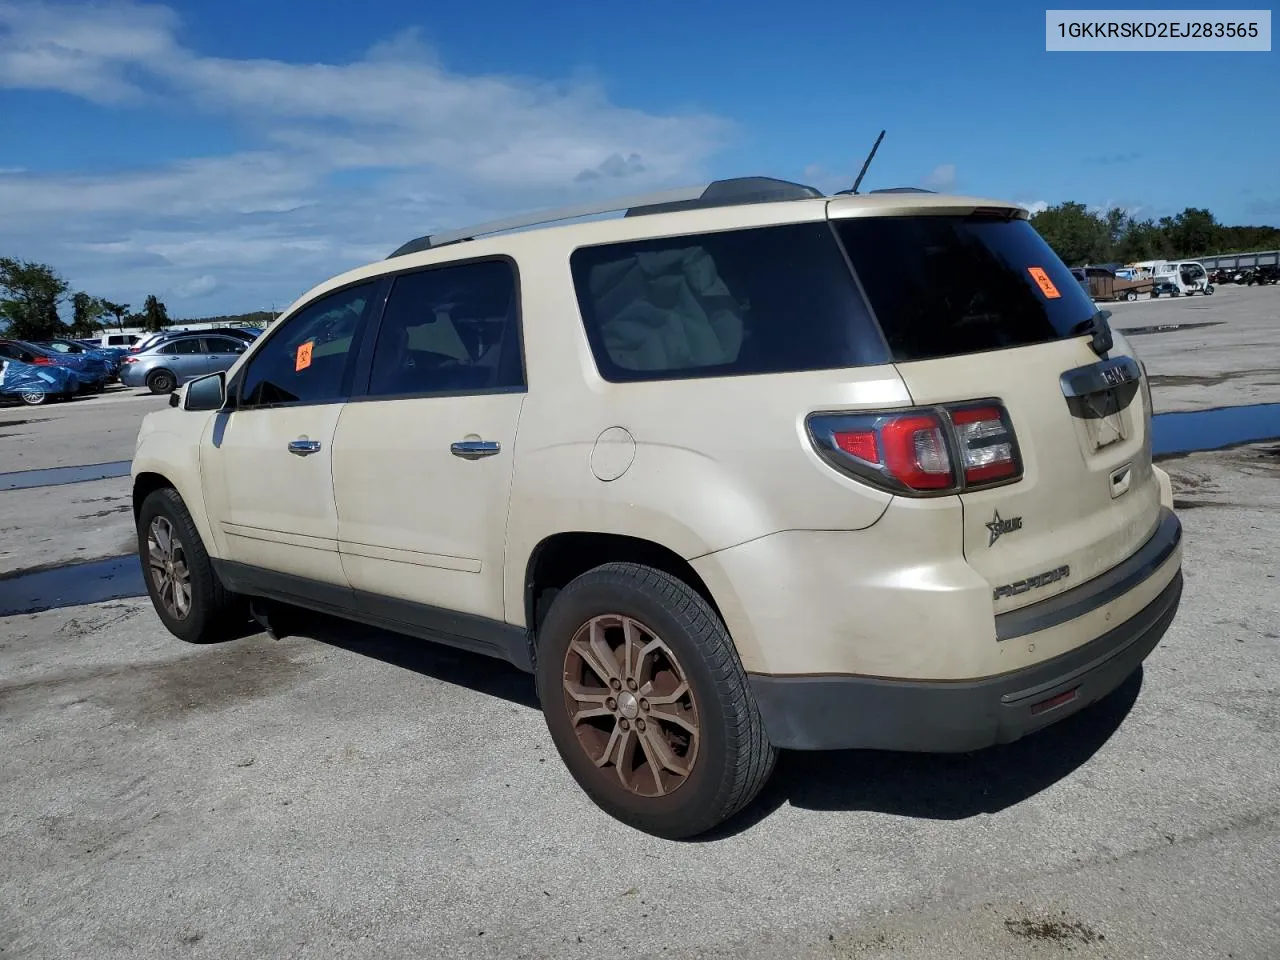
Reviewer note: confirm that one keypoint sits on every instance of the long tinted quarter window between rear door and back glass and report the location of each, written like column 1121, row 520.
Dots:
column 758, row 301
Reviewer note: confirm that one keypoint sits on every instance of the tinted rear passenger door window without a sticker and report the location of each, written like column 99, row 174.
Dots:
column 450, row 330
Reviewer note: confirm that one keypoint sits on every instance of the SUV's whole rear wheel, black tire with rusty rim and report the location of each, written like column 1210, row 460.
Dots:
column 648, row 703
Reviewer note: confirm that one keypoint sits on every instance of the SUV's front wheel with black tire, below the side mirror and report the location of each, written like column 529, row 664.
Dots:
column 185, row 591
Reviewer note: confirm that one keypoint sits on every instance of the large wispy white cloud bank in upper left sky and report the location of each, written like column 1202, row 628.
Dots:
column 351, row 159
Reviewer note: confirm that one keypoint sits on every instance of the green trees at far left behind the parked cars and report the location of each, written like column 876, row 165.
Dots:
column 33, row 294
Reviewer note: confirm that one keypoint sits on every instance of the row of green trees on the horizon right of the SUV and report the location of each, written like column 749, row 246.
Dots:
column 1081, row 236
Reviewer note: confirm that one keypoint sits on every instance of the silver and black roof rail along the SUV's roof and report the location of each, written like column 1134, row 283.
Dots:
column 729, row 193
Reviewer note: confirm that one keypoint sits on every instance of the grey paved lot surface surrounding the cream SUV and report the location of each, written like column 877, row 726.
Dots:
column 346, row 793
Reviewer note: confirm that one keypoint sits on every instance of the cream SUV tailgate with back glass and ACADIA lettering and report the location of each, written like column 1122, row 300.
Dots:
column 980, row 308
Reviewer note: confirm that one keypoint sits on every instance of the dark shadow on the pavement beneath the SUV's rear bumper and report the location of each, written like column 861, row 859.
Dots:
column 939, row 787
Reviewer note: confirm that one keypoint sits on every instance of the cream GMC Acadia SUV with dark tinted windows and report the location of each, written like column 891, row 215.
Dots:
column 748, row 469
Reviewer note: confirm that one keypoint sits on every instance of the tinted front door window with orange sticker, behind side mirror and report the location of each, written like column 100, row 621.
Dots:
column 308, row 359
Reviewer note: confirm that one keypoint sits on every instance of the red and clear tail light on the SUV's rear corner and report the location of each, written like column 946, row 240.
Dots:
column 921, row 452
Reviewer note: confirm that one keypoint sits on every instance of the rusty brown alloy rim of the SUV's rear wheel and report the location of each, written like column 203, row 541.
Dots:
column 632, row 706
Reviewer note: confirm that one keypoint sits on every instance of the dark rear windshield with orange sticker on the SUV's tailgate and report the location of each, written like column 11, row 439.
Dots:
column 945, row 286
